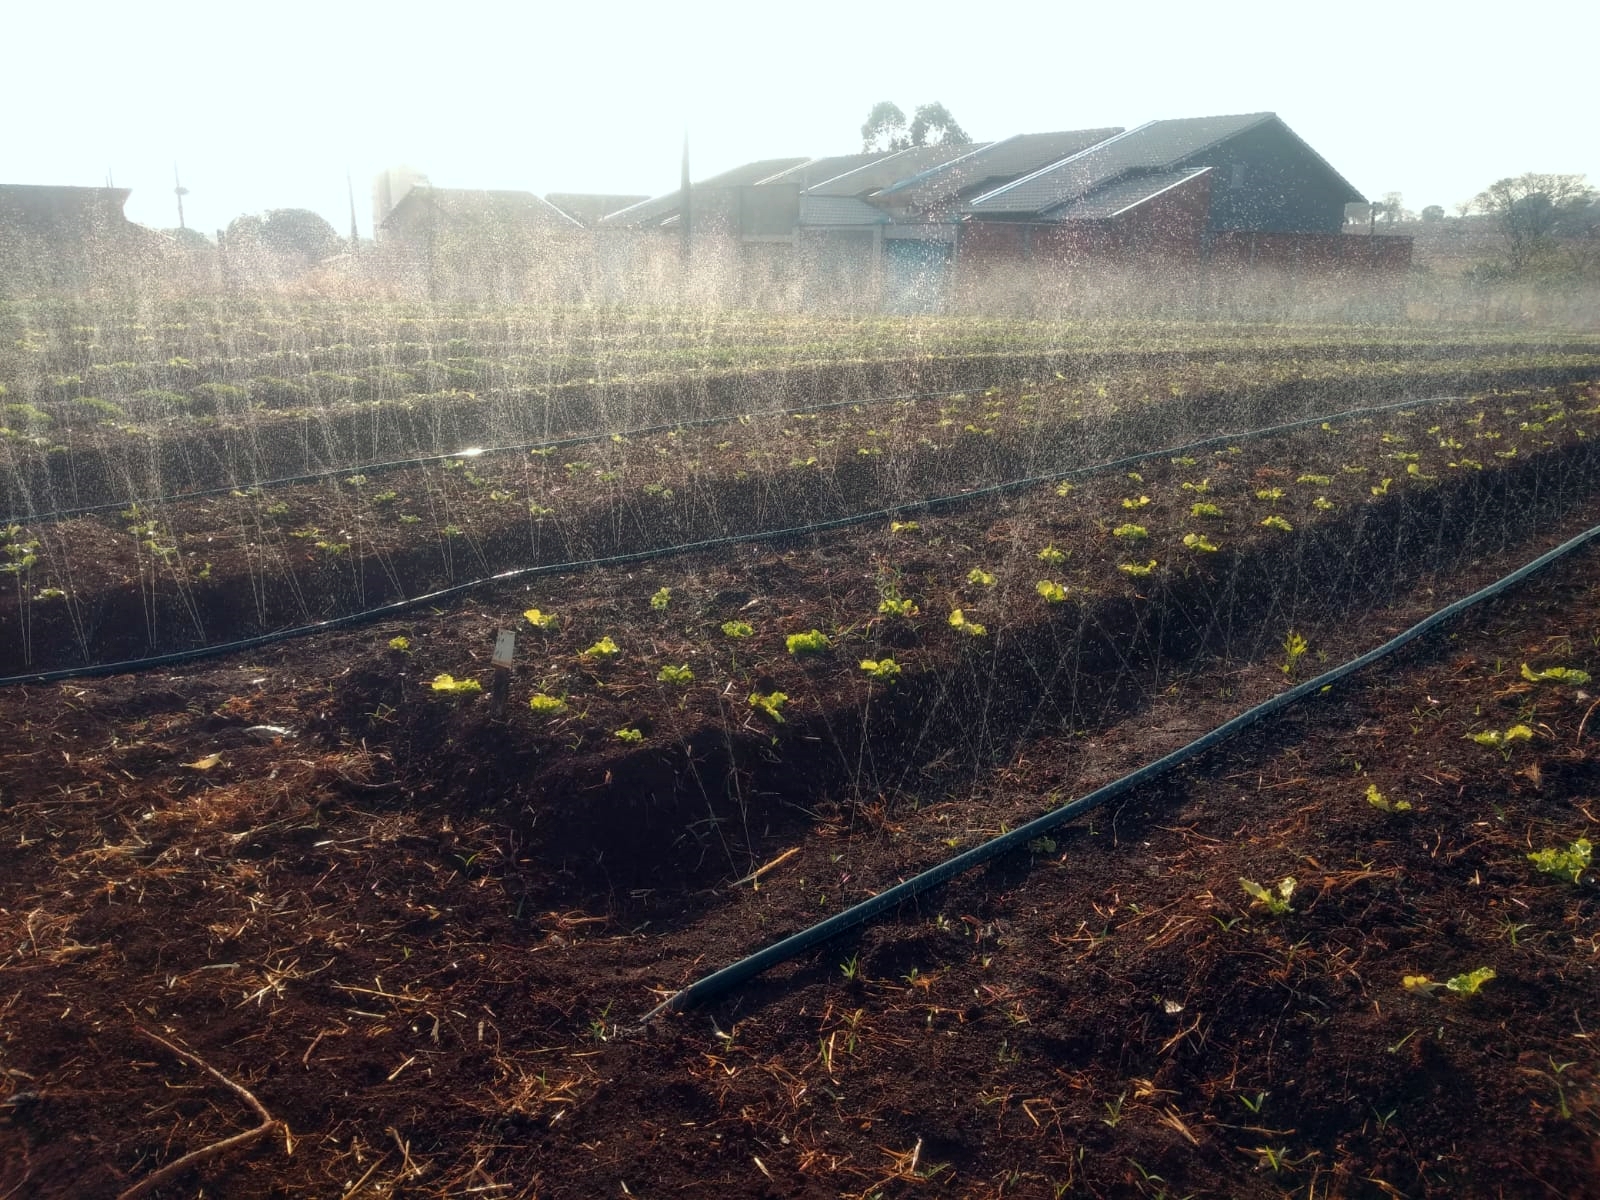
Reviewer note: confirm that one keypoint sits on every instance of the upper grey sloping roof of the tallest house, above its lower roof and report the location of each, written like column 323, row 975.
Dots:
column 1150, row 148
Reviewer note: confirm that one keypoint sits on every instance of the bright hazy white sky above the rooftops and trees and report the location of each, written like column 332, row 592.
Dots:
column 270, row 105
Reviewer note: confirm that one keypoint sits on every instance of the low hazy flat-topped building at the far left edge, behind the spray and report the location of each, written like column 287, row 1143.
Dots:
column 73, row 236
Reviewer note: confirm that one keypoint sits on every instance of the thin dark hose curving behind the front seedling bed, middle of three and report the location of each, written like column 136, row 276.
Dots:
column 180, row 657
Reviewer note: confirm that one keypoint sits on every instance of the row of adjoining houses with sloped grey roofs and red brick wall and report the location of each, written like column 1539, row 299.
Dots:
column 1199, row 196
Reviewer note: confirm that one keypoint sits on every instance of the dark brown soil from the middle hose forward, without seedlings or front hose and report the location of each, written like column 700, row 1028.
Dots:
column 423, row 937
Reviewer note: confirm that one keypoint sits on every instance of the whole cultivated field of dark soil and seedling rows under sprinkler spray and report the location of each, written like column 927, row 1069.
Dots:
column 799, row 614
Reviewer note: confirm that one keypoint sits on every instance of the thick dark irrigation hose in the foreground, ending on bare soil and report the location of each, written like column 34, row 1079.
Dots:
column 719, row 983
